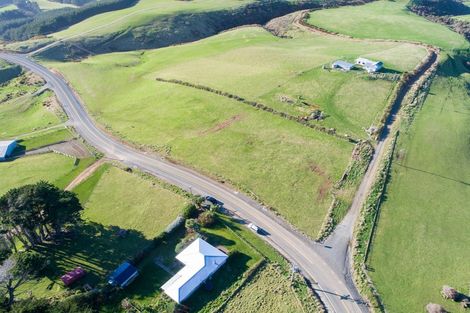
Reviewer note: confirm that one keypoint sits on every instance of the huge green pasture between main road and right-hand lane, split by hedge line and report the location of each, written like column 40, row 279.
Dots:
column 288, row 166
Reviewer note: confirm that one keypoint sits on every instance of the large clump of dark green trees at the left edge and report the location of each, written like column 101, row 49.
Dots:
column 34, row 213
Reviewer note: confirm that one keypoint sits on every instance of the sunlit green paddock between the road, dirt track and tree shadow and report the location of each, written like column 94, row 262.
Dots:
column 128, row 201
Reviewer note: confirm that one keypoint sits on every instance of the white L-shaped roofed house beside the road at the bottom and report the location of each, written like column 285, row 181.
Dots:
column 201, row 260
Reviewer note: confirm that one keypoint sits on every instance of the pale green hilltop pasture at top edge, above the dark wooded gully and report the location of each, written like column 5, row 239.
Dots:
column 143, row 13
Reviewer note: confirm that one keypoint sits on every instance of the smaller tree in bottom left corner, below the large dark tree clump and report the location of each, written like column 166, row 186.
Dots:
column 22, row 267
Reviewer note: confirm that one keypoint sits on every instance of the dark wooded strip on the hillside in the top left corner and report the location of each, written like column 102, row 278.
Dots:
column 24, row 25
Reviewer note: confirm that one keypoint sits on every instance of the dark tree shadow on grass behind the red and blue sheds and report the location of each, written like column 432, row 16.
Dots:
column 95, row 248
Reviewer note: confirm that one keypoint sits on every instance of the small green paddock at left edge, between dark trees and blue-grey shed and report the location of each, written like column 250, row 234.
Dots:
column 51, row 167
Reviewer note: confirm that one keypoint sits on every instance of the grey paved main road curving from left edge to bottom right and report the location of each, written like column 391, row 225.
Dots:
column 330, row 281
